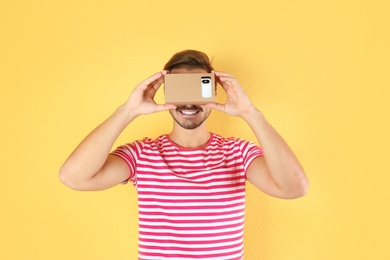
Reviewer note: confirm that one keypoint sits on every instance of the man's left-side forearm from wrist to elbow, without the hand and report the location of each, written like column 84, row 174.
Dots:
column 90, row 155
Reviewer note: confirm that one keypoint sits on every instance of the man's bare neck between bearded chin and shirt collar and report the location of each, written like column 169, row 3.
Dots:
column 194, row 138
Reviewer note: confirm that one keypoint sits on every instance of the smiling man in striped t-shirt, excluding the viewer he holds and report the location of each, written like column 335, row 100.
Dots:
column 190, row 183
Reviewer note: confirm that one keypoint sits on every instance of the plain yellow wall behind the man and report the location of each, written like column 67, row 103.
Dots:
column 319, row 70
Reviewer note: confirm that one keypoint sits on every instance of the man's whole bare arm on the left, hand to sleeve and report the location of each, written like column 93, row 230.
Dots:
column 90, row 167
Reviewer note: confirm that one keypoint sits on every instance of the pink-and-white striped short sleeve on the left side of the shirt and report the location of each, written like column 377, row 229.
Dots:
column 130, row 154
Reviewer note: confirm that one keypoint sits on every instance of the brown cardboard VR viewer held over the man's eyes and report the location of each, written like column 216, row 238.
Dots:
column 189, row 89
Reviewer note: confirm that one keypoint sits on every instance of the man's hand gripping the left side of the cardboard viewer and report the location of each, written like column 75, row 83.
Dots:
column 141, row 100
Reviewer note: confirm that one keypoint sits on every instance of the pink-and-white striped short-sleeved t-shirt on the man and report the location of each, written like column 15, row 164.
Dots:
column 191, row 202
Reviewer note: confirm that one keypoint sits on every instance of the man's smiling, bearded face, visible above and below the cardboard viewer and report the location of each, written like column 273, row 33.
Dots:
column 189, row 116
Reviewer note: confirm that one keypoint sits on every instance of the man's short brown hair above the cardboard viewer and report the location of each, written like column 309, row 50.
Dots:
column 189, row 59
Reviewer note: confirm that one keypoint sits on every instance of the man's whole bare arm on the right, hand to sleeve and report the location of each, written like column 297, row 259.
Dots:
column 278, row 172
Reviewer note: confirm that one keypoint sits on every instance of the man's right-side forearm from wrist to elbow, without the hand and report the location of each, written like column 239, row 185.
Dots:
column 281, row 162
